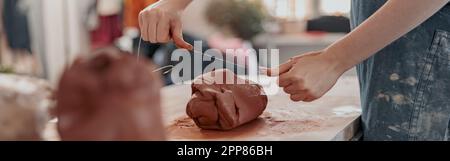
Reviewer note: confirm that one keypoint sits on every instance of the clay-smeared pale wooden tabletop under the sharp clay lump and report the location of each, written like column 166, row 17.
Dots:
column 333, row 117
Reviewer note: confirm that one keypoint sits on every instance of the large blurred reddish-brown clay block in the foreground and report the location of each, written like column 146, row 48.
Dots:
column 109, row 96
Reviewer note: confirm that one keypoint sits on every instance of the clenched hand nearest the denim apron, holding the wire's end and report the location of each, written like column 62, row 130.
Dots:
column 309, row 76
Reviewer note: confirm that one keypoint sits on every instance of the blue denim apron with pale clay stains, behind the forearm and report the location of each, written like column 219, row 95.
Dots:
column 405, row 88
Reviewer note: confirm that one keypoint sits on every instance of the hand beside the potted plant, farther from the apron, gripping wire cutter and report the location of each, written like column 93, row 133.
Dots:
column 161, row 22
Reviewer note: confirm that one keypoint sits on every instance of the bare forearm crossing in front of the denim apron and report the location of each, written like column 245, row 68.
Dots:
column 393, row 20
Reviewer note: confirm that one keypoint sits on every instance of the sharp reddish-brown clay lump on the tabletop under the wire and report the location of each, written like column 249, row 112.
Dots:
column 222, row 101
